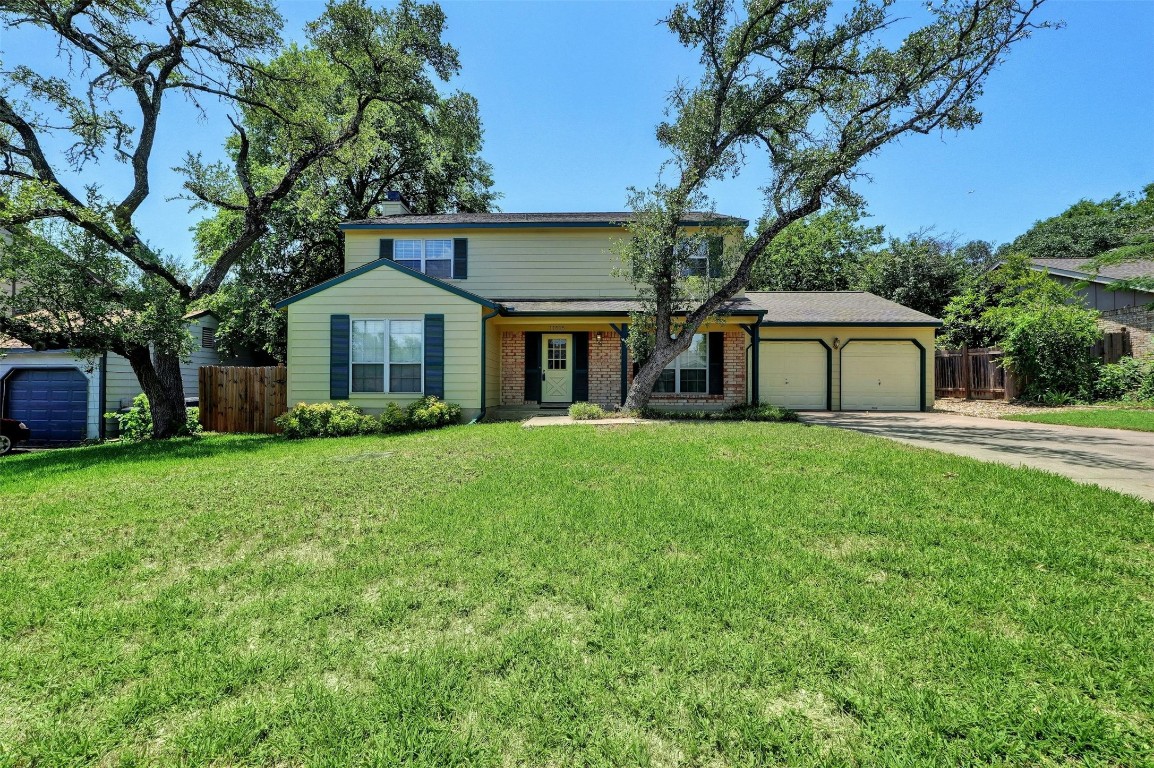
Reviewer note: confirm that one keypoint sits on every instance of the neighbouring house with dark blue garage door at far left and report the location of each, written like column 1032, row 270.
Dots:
column 63, row 398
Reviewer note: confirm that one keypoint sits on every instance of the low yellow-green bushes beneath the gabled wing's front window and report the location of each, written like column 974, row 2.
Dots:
column 346, row 420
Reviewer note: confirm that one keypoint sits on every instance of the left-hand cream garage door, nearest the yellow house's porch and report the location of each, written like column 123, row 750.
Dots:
column 793, row 375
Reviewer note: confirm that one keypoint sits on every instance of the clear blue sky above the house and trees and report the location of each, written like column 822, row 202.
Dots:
column 571, row 94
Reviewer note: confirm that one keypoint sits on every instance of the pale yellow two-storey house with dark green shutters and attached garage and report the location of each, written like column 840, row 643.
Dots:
column 508, row 311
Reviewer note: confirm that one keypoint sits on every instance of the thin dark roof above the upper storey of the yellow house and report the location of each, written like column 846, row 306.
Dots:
column 603, row 220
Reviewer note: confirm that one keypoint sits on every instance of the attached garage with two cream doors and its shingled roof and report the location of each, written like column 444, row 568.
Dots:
column 843, row 351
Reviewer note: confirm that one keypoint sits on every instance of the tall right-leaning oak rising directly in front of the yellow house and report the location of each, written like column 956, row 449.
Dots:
column 818, row 94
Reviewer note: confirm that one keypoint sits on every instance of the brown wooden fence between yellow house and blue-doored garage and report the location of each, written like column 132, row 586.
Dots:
column 236, row 400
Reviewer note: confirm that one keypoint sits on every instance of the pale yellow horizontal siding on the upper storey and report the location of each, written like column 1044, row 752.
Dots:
column 520, row 263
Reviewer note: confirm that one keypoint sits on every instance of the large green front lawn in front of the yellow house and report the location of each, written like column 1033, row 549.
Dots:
column 690, row 594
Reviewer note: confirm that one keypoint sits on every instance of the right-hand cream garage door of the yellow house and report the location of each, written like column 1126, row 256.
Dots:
column 881, row 377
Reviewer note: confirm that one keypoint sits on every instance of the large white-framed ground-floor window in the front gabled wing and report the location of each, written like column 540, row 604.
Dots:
column 388, row 356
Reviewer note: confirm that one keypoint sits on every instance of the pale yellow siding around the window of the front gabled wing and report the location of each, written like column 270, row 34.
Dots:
column 384, row 293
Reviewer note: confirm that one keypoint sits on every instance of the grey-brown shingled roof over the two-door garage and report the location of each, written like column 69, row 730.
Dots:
column 835, row 308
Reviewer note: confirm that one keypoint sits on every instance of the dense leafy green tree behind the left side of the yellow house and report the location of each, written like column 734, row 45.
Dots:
column 431, row 155
